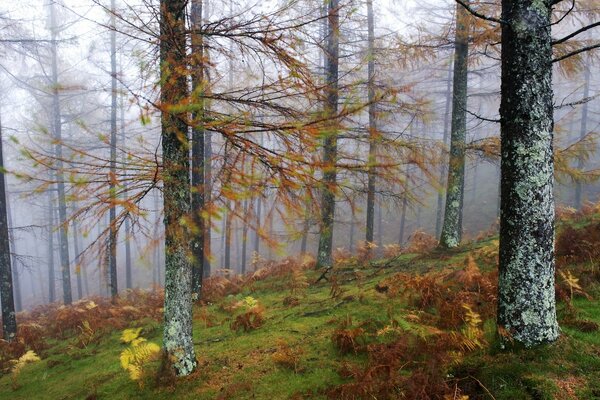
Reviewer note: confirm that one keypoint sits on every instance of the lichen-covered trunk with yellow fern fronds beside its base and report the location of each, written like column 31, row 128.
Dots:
column 177, row 335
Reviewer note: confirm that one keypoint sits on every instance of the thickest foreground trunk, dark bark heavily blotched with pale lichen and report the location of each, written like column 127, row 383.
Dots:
column 526, row 303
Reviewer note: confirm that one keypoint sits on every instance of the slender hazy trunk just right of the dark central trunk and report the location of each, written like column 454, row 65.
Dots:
column 373, row 135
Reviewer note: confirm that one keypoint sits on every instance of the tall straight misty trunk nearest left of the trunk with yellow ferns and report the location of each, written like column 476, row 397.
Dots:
column 112, row 238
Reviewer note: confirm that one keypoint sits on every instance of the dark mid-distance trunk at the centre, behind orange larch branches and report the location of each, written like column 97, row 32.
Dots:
column 330, row 137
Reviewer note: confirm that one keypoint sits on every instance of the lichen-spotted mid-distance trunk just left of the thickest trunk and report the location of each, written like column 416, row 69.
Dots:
column 452, row 228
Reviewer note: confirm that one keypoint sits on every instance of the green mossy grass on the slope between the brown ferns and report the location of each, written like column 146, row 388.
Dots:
column 240, row 365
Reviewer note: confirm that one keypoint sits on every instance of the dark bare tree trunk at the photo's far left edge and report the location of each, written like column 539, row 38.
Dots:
column 9, row 321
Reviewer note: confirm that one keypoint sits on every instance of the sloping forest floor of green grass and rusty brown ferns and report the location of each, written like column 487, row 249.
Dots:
column 413, row 326
